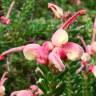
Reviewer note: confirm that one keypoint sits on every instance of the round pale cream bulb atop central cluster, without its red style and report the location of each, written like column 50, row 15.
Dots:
column 60, row 37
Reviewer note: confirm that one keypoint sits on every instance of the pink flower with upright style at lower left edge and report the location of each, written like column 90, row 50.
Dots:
column 2, row 81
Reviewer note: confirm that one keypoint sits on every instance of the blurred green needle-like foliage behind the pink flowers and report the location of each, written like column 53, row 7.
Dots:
column 33, row 22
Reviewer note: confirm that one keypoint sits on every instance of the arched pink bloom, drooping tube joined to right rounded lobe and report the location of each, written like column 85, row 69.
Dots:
column 70, row 51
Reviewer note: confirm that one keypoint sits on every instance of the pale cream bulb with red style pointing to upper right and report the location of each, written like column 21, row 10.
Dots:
column 60, row 37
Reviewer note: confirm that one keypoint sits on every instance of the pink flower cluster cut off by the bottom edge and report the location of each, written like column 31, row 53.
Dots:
column 33, row 91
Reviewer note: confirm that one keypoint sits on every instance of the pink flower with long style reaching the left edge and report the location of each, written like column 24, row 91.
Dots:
column 32, row 52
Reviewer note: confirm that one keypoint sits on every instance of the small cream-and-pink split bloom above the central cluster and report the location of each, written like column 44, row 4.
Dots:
column 58, row 12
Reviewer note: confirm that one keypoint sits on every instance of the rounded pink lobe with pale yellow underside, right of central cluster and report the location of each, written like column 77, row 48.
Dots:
column 73, row 51
